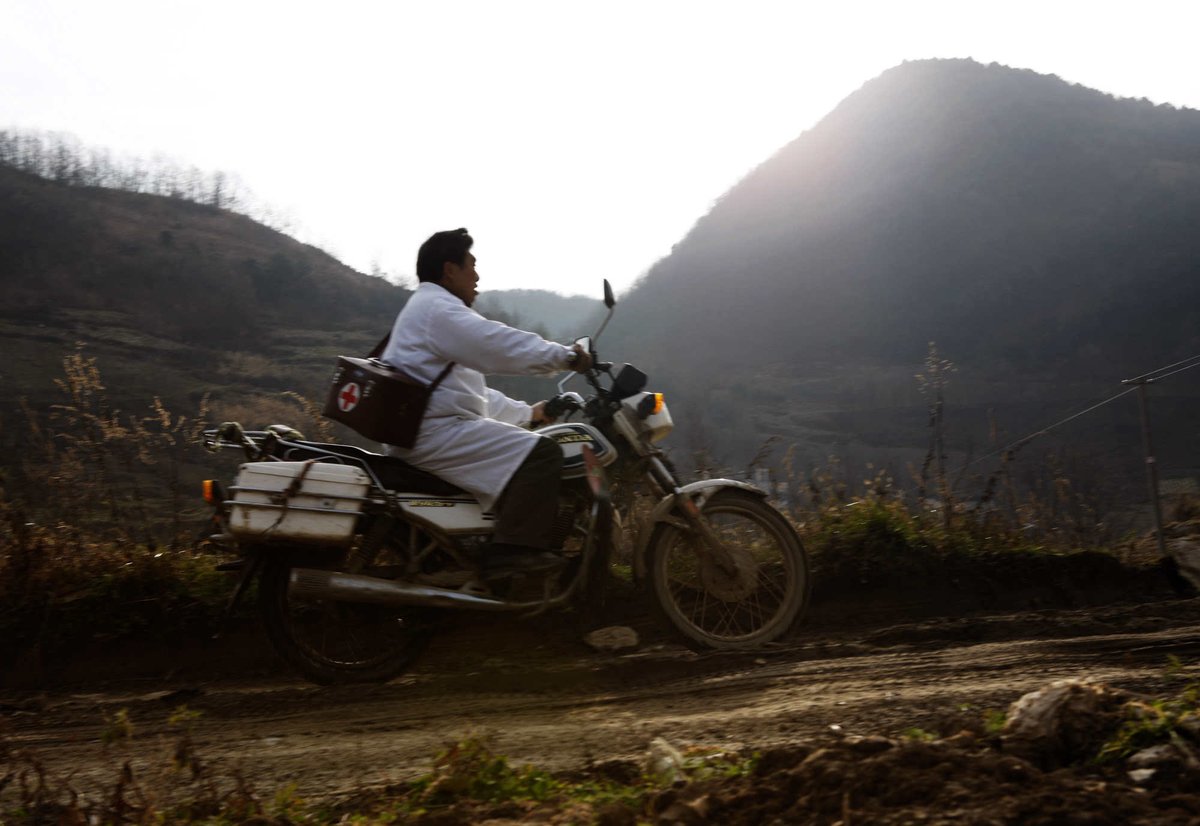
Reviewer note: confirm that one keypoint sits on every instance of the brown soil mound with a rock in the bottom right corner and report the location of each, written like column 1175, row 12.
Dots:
column 1065, row 756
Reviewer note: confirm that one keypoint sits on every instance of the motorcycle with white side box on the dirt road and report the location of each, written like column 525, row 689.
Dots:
column 357, row 554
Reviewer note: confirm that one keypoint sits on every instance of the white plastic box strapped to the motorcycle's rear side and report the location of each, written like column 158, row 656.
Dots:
column 271, row 506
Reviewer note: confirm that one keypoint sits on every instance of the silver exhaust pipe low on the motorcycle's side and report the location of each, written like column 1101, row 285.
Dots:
column 334, row 585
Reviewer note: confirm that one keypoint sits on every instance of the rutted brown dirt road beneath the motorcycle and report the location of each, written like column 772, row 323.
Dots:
column 543, row 698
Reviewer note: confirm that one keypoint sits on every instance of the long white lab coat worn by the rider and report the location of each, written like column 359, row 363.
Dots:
column 472, row 436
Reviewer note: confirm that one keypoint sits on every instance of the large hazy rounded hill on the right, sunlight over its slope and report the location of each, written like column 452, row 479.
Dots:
column 1043, row 235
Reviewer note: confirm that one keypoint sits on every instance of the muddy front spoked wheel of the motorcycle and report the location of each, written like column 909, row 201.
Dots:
column 746, row 608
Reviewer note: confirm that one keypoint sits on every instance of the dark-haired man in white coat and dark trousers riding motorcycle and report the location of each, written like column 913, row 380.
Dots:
column 475, row 436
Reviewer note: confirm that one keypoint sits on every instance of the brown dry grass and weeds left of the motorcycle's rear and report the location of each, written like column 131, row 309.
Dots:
column 101, row 523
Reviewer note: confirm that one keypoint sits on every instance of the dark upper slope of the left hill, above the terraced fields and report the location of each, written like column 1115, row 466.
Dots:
column 183, row 271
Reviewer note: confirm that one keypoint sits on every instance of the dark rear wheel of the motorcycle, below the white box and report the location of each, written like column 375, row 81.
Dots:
column 339, row 643
